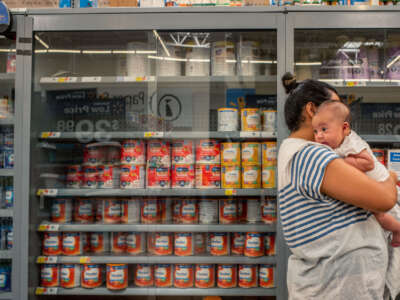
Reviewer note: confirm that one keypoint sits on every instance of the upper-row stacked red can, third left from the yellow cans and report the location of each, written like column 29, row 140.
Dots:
column 158, row 154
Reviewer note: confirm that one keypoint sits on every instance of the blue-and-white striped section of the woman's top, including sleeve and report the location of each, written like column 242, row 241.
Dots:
column 306, row 214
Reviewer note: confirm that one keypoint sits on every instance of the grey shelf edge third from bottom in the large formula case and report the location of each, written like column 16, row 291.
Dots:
column 261, row 227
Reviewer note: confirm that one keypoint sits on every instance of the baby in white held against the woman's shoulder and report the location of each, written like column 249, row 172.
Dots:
column 331, row 125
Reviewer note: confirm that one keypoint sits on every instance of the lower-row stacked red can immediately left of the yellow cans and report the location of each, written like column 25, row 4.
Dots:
column 208, row 176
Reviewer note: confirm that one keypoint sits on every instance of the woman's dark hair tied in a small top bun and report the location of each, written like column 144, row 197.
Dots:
column 300, row 93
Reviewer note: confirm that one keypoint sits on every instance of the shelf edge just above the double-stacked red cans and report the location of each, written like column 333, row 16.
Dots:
column 76, row 136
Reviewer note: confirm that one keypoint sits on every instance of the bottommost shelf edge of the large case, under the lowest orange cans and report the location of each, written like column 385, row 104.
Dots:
column 151, row 291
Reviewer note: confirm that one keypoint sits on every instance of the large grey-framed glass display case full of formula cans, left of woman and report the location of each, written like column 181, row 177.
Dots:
column 151, row 165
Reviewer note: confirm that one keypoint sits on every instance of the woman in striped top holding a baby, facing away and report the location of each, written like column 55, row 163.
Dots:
column 338, row 249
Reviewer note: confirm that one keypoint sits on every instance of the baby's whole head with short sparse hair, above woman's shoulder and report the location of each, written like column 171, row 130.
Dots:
column 331, row 123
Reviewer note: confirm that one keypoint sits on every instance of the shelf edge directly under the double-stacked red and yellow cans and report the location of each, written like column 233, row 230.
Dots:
column 48, row 192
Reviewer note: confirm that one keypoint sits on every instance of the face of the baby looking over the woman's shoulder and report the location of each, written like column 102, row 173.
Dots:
column 328, row 129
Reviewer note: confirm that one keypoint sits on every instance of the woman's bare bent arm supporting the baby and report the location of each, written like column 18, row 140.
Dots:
column 345, row 183
